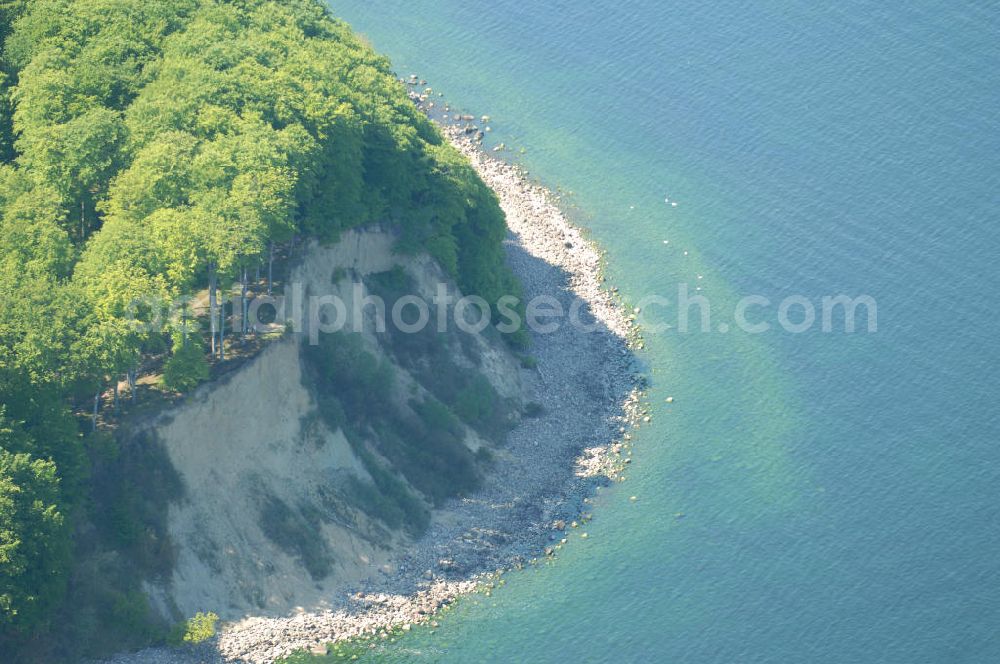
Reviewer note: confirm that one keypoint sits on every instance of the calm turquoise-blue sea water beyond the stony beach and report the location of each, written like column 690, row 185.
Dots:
column 839, row 492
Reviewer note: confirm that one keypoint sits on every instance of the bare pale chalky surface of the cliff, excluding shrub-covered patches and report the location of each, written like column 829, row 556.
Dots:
column 250, row 448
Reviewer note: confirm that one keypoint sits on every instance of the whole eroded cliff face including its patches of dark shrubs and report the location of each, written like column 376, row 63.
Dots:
column 308, row 468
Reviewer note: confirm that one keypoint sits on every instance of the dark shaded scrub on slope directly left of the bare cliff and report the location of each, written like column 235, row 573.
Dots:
column 106, row 611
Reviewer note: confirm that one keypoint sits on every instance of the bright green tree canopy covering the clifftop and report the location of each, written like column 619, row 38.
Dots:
column 149, row 146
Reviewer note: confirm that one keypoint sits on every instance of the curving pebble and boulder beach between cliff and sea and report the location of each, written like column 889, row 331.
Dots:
column 543, row 478
